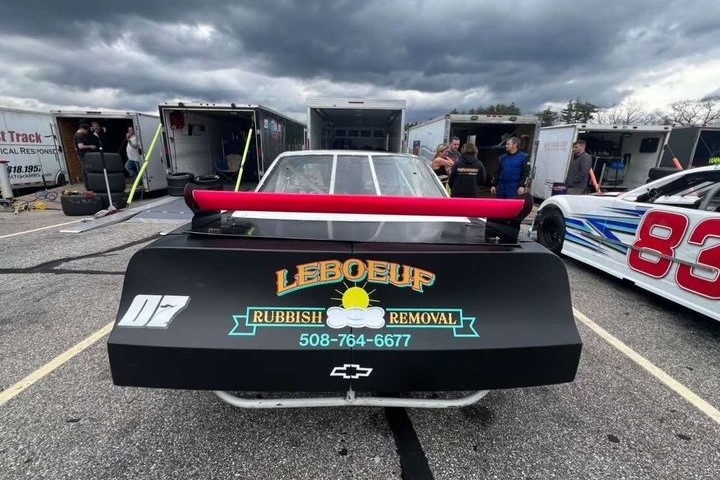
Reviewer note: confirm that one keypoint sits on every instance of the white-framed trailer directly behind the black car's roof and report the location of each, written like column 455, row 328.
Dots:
column 357, row 124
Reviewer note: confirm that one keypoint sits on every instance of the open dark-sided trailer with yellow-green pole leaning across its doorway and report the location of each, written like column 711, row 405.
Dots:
column 202, row 138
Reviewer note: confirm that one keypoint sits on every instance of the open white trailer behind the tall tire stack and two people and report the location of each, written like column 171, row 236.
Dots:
column 115, row 125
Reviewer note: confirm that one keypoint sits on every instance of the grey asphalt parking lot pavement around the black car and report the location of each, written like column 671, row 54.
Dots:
column 616, row 420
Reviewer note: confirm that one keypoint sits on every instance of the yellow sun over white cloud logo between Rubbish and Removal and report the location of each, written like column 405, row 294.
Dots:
column 356, row 311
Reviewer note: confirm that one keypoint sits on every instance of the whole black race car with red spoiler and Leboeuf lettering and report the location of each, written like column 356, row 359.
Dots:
column 345, row 272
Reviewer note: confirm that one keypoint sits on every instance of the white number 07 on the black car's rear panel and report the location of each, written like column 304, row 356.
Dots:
column 153, row 311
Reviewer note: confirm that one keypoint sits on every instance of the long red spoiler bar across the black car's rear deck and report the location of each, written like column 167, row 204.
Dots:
column 209, row 200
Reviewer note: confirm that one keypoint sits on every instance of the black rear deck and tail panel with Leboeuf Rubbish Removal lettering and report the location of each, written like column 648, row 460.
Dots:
column 279, row 305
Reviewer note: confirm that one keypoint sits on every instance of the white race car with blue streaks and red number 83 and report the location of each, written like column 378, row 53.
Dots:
column 663, row 236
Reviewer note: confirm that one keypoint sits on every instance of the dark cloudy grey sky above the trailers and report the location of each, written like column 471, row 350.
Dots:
column 438, row 55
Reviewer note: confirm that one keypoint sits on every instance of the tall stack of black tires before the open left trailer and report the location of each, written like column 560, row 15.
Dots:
column 113, row 164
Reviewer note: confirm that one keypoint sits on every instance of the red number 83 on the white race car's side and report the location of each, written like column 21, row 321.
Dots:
column 662, row 233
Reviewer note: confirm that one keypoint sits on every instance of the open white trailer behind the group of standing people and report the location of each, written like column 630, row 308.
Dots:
column 487, row 131
